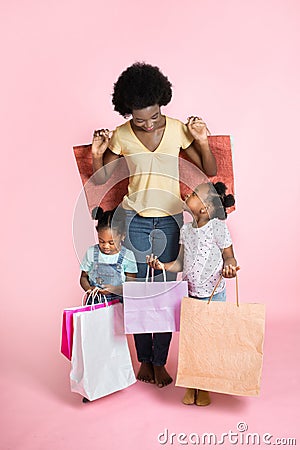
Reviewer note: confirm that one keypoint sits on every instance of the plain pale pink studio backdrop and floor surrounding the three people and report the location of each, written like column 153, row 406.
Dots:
column 234, row 63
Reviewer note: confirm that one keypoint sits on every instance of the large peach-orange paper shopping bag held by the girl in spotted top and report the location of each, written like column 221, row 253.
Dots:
column 221, row 346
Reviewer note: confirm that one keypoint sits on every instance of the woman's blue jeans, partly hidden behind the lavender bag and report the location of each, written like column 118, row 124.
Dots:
column 160, row 236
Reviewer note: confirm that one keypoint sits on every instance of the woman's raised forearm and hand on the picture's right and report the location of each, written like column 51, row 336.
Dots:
column 199, row 152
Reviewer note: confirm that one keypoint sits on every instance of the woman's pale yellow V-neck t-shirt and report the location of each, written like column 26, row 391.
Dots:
column 153, row 189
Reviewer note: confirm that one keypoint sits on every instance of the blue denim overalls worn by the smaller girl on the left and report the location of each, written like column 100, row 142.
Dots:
column 103, row 273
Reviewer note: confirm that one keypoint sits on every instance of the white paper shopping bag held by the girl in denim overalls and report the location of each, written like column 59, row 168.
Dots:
column 101, row 362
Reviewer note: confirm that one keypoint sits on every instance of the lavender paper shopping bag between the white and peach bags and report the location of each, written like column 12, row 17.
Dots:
column 153, row 307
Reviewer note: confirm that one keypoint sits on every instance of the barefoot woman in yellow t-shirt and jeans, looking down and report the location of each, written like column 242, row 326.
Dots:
column 150, row 143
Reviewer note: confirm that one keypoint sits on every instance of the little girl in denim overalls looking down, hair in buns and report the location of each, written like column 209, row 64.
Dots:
column 108, row 264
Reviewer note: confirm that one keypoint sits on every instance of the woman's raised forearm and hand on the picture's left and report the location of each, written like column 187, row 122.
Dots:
column 102, row 156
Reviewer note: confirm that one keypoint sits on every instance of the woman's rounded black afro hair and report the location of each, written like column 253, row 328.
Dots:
column 139, row 86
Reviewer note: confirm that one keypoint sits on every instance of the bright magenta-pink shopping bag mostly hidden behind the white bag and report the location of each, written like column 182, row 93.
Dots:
column 67, row 325
